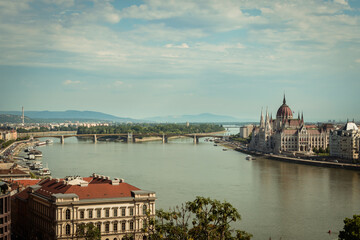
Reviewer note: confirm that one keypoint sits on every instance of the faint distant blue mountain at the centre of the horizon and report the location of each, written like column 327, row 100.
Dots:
column 203, row 117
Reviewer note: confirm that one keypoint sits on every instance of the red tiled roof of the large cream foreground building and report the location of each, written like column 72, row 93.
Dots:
column 97, row 188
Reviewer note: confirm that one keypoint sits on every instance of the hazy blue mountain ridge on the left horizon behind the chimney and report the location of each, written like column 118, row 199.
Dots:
column 70, row 115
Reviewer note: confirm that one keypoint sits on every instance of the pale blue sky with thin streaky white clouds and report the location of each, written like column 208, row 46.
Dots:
column 150, row 58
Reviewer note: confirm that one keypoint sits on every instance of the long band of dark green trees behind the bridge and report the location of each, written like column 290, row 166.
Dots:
column 152, row 128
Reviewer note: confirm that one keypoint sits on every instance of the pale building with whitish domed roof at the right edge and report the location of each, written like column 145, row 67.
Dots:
column 344, row 143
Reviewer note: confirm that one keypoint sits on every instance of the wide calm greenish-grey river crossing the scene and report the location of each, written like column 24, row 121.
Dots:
column 275, row 199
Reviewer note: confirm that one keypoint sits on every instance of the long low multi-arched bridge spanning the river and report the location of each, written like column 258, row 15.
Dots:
column 130, row 137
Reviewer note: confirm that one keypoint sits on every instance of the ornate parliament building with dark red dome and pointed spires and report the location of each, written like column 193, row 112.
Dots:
column 288, row 134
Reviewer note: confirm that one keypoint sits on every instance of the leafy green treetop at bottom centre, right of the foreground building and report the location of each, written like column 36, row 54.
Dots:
column 210, row 220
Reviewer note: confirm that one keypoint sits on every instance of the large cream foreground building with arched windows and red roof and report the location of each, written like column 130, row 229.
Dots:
column 54, row 208
